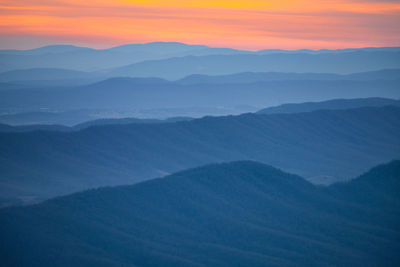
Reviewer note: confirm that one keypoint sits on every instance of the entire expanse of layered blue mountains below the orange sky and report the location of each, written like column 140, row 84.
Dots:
column 169, row 154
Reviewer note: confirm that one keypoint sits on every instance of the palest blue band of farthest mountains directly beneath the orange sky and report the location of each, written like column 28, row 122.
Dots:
column 199, row 57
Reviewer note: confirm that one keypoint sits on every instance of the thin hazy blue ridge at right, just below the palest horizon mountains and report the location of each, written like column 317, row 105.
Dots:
column 251, row 77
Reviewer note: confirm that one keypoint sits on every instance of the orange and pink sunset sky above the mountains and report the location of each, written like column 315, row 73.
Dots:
column 246, row 24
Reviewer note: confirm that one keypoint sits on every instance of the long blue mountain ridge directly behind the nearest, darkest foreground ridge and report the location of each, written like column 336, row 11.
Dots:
column 320, row 146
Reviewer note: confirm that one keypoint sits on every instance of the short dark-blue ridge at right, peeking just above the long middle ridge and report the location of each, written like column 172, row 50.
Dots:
column 331, row 104
